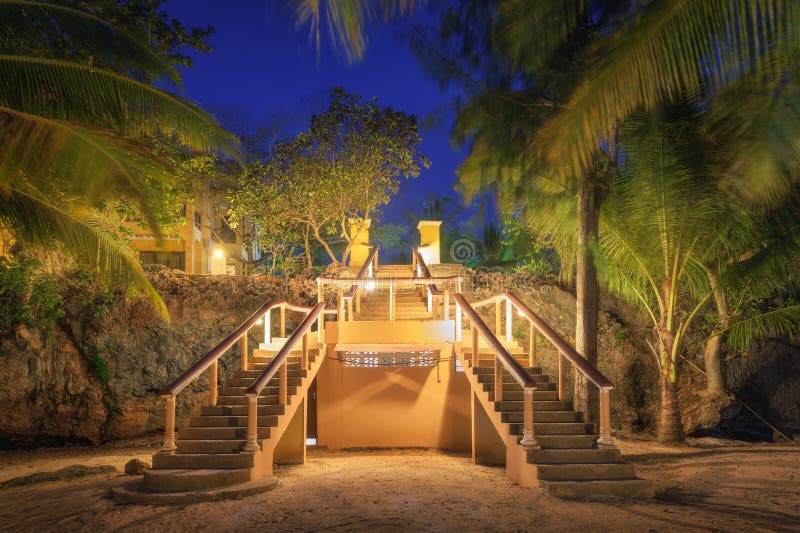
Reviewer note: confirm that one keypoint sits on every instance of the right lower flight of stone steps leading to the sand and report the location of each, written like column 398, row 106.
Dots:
column 568, row 463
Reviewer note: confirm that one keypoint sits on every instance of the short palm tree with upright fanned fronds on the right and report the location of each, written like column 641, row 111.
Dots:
column 666, row 227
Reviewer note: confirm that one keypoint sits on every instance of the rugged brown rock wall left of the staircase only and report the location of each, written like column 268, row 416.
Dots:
column 53, row 389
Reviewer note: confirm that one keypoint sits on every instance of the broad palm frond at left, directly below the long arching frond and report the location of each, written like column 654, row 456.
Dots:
column 89, row 162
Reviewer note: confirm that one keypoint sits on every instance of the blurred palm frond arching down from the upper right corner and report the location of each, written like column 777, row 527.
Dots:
column 676, row 48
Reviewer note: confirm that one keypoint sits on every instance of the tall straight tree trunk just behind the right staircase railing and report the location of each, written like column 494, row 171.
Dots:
column 586, row 396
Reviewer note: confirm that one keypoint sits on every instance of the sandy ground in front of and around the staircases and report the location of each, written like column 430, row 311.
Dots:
column 710, row 486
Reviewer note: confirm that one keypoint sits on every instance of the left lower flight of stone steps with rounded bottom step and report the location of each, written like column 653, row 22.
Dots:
column 209, row 460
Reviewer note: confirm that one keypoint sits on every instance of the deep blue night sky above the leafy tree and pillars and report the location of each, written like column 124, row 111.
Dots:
column 262, row 66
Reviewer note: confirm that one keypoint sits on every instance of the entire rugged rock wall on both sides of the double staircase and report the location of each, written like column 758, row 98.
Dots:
column 98, row 375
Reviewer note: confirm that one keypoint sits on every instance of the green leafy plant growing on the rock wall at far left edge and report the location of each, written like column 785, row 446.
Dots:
column 28, row 296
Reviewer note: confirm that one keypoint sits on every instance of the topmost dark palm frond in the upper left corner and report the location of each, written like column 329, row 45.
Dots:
column 39, row 25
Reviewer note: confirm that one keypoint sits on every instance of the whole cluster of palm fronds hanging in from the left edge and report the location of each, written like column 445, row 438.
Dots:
column 69, row 129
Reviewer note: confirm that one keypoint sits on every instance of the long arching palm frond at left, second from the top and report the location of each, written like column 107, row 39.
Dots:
column 80, row 93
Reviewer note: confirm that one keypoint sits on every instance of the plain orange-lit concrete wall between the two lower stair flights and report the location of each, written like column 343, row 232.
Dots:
column 393, row 407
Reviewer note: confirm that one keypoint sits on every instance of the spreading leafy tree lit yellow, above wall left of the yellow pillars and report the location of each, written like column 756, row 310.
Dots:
column 331, row 179
